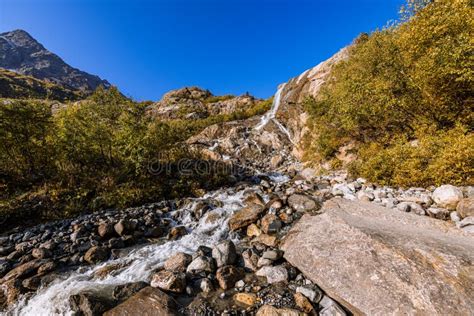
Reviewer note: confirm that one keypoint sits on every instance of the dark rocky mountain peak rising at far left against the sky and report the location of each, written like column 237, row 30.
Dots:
column 21, row 53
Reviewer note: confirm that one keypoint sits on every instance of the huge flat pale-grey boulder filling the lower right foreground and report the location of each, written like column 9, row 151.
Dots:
column 378, row 261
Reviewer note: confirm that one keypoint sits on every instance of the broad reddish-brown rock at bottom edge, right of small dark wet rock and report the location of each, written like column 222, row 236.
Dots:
column 148, row 301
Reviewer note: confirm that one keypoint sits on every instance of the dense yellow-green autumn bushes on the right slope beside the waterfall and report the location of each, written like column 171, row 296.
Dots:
column 411, row 81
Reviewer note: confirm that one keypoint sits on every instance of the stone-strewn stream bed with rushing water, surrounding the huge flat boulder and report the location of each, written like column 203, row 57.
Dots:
column 220, row 254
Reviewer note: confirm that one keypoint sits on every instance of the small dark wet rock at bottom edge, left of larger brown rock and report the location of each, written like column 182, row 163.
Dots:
column 89, row 304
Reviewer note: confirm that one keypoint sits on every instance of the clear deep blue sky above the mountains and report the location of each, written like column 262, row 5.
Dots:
column 228, row 46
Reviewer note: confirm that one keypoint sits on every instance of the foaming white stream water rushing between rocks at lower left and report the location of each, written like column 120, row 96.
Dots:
column 138, row 264
